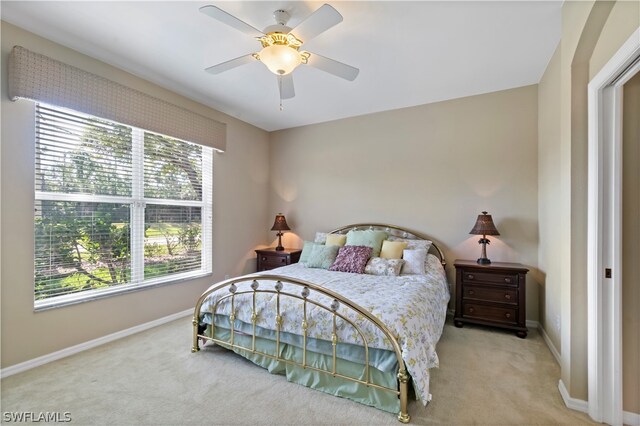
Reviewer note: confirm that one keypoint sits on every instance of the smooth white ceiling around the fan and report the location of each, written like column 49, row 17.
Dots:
column 408, row 53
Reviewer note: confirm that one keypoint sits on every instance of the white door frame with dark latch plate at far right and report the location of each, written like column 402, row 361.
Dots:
column 604, row 247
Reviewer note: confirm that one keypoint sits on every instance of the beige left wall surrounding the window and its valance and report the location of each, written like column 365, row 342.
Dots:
column 240, row 195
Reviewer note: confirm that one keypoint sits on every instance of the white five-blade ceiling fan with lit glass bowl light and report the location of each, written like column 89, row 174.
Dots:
column 281, row 46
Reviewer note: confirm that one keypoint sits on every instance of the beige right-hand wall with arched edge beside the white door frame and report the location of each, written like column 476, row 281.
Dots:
column 591, row 34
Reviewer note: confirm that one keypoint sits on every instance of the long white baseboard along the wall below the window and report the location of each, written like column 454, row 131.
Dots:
column 72, row 350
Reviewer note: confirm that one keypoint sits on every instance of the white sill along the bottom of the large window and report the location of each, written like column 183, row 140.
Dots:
column 91, row 295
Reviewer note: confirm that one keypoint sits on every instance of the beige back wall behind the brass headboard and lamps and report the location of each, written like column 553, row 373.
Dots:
column 432, row 168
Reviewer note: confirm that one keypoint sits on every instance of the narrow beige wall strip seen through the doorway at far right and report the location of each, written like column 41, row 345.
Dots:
column 631, row 246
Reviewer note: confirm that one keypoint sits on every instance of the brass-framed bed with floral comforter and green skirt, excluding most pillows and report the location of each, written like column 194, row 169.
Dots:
column 361, row 336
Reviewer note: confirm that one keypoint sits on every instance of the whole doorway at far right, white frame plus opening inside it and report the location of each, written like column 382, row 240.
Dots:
column 614, row 236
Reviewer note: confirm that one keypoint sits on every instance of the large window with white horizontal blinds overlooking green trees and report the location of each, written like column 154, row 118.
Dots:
column 116, row 207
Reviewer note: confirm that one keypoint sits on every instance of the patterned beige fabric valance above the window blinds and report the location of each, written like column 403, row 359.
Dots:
column 40, row 78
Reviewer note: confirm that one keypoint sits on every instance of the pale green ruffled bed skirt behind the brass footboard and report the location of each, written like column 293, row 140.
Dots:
column 325, row 382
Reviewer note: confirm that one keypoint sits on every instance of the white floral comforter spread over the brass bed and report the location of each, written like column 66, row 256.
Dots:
column 413, row 307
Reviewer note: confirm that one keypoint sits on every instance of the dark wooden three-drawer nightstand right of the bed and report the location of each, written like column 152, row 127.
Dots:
column 491, row 294
